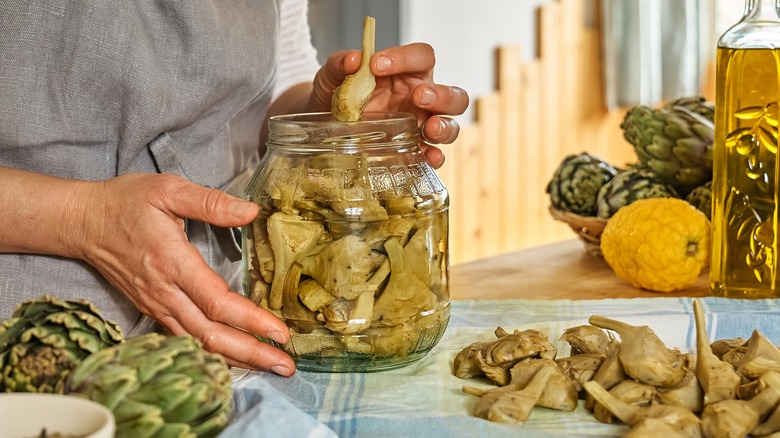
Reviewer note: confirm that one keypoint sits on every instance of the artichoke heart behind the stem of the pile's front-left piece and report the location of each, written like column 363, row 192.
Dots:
column 560, row 393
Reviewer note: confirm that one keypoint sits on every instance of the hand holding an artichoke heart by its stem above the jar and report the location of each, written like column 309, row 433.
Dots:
column 404, row 82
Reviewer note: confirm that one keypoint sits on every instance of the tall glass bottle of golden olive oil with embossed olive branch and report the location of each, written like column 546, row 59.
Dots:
column 745, row 187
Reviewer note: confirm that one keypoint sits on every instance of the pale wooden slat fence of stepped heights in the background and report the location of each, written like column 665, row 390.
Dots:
column 541, row 111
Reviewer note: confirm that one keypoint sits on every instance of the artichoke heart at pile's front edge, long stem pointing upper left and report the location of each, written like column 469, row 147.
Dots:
column 682, row 421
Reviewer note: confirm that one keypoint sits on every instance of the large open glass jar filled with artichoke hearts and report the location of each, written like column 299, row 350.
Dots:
column 350, row 246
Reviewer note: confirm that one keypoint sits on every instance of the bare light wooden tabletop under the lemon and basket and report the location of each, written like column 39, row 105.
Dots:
column 562, row 270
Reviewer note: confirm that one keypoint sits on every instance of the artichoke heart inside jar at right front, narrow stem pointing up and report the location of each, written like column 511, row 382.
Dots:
column 405, row 295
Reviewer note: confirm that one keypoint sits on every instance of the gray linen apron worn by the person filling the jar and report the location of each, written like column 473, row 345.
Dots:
column 94, row 89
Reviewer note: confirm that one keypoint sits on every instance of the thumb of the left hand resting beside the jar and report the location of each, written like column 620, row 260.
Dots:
column 212, row 206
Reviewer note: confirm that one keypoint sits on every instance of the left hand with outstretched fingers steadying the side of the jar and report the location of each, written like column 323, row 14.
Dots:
column 133, row 233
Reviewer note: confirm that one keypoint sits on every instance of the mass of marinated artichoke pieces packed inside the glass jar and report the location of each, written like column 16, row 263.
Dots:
column 367, row 273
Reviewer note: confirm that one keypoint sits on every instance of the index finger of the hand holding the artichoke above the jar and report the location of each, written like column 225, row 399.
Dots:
column 413, row 58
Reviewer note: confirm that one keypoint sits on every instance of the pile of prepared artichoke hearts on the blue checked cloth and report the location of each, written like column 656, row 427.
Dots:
column 625, row 374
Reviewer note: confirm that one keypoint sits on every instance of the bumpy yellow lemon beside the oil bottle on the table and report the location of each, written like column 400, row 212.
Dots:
column 659, row 244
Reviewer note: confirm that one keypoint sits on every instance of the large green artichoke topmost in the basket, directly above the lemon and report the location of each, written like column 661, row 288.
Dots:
column 674, row 141
